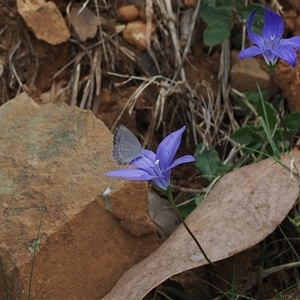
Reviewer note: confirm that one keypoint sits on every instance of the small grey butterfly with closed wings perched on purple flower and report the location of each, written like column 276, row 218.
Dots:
column 126, row 146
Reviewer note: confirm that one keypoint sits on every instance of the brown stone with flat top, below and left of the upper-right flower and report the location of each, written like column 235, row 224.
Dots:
column 245, row 75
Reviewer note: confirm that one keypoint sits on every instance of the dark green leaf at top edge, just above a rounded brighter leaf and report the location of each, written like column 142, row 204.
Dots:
column 213, row 14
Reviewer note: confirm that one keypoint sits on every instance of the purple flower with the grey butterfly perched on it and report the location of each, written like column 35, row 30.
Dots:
column 156, row 167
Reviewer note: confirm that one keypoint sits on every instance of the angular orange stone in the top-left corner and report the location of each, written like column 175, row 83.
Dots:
column 44, row 20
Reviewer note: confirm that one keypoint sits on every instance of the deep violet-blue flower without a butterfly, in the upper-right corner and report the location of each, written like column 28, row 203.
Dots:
column 271, row 44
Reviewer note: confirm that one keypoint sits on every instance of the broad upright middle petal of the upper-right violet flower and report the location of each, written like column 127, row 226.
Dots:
column 273, row 25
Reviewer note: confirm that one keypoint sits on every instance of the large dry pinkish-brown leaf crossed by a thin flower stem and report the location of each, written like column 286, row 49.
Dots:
column 242, row 209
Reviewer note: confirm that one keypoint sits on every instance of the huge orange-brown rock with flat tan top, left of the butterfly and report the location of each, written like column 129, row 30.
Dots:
column 52, row 161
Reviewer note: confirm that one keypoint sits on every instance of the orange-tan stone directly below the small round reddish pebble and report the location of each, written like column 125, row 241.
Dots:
column 135, row 34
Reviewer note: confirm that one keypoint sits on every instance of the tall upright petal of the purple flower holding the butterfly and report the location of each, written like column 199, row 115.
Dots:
column 168, row 148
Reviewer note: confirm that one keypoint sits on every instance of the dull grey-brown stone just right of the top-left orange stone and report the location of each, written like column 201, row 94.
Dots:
column 85, row 24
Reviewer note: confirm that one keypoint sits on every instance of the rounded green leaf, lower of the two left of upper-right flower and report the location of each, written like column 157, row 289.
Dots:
column 216, row 33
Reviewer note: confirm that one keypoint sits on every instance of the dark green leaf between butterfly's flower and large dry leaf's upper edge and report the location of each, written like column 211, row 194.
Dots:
column 209, row 163
